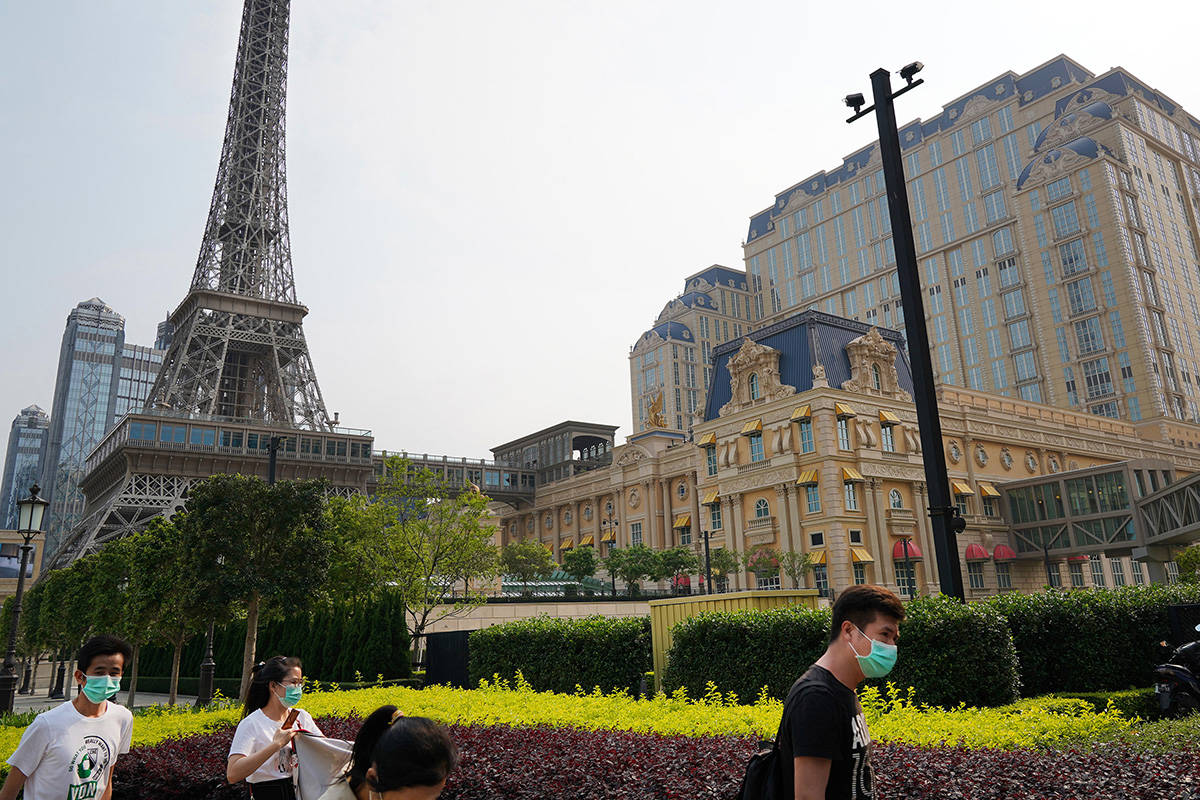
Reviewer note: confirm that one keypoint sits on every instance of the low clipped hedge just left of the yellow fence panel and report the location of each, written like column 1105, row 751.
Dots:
column 561, row 654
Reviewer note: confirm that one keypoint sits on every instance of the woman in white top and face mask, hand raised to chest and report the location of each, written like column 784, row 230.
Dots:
column 262, row 753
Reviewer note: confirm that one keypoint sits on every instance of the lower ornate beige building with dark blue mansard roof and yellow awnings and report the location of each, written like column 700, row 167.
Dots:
column 808, row 443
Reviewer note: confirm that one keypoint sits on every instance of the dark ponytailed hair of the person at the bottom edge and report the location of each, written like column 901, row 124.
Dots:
column 405, row 751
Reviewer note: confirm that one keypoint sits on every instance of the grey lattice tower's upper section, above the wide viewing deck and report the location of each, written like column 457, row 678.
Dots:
column 239, row 350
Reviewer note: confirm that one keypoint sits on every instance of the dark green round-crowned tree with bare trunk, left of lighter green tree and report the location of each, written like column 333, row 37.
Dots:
column 257, row 548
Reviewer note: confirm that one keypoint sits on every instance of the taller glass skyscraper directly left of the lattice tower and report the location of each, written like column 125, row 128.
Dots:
column 100, row 380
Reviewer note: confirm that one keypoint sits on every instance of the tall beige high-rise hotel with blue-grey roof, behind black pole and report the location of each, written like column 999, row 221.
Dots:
column 1057, row 216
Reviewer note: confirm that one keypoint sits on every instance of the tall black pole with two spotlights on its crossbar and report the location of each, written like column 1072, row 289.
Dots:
column 945, row 520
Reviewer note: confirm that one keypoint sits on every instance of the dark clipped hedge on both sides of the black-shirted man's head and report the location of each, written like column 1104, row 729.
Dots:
column 950, row 653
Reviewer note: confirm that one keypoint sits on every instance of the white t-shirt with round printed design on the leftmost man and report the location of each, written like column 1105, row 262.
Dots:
column 67, row 755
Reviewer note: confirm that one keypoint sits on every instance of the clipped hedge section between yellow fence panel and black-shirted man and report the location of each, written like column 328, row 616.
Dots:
column 742, row 652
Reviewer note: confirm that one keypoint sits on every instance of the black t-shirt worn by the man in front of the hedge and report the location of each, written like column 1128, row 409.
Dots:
column 826, row 721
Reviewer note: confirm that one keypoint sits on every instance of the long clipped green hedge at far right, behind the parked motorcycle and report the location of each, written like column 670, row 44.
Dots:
column 1090, row 640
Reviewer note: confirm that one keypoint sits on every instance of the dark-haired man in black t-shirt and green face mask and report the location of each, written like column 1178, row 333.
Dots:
column 824, row 742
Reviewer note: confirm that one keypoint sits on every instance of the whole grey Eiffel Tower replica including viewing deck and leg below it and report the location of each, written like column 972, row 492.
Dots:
column 237, row 392
